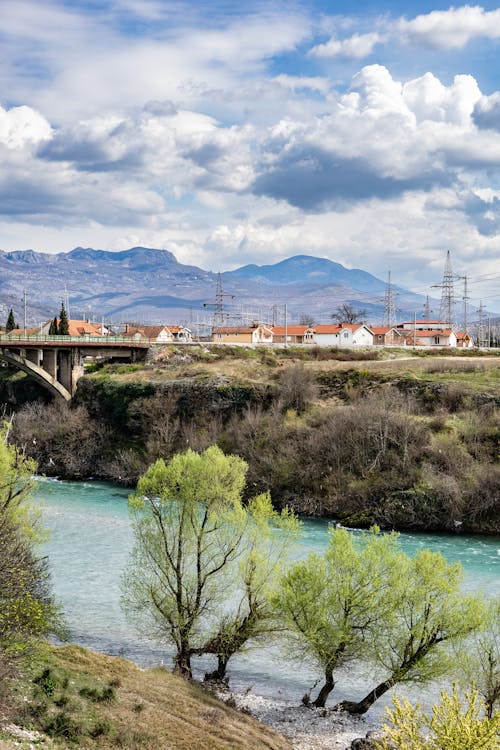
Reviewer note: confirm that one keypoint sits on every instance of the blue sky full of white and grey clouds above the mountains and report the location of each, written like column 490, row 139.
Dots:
column 247, row 132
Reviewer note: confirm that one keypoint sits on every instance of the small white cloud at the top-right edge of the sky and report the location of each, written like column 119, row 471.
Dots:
column 450, row 29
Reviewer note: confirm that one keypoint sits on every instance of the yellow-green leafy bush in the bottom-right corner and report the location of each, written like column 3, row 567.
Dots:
column 455, row 724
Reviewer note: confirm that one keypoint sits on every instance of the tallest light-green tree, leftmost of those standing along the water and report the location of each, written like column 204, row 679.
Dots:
column 196, row 577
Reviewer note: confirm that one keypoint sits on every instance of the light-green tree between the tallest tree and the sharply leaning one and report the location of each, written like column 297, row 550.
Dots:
column 335, row 604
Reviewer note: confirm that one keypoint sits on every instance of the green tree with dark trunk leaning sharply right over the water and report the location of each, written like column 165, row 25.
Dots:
column 430, row 613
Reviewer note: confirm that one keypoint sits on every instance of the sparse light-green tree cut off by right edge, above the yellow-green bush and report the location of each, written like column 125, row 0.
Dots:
column 478, row 658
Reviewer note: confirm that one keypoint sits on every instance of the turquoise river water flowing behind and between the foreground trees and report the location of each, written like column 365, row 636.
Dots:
column 90, row 539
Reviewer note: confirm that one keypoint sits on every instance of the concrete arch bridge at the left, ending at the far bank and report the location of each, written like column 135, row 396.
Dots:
column 56, row 362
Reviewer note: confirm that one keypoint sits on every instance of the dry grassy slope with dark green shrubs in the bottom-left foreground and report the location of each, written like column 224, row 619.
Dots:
column 77, row 698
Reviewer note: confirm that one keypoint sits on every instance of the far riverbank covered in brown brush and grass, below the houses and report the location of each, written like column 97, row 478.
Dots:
column 404, row 444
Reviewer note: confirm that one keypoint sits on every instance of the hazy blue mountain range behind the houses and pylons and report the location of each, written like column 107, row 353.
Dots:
column 146, row 285
